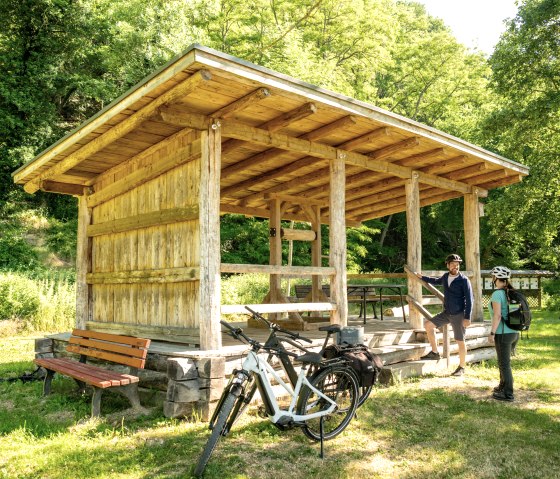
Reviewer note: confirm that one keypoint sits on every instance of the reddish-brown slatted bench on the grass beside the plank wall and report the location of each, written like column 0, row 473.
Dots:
column 122, row 350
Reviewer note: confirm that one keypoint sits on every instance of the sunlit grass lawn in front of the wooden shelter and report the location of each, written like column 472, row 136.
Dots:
column 436, row 427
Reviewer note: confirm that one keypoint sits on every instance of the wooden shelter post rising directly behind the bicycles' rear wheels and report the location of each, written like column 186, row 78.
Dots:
column 337, row 237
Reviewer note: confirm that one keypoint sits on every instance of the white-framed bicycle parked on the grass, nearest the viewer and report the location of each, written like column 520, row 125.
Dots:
column 322, row 404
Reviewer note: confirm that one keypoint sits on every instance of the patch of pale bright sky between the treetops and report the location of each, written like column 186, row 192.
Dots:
column 475, row 23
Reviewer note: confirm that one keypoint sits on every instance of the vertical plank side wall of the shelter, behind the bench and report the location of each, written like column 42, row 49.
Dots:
column 121, row 293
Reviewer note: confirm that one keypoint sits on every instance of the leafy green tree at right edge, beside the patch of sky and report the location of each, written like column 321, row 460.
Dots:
column 525, row 218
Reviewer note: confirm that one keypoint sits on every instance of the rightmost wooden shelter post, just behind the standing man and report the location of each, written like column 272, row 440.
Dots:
column 472, row 251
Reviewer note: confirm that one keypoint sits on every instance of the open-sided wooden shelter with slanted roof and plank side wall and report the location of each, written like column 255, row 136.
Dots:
column 210, row 134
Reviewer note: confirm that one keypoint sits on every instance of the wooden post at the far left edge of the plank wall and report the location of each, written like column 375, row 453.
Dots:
column 83, row 265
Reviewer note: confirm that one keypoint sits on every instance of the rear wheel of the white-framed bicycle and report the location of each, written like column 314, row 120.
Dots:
column 339, row 384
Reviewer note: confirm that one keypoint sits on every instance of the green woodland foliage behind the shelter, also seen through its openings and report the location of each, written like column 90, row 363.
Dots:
column 61, row 61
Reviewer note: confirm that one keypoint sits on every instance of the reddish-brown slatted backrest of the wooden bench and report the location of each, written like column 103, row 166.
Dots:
column 126, row 350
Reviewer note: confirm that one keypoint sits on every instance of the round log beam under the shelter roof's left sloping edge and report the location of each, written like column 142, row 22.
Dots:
column 181, row 90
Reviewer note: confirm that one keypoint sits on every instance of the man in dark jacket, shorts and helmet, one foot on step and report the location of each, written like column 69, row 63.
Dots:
column 457, row 308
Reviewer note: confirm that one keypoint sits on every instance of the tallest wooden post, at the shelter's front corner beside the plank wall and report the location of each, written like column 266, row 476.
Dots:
column 209, row 207
